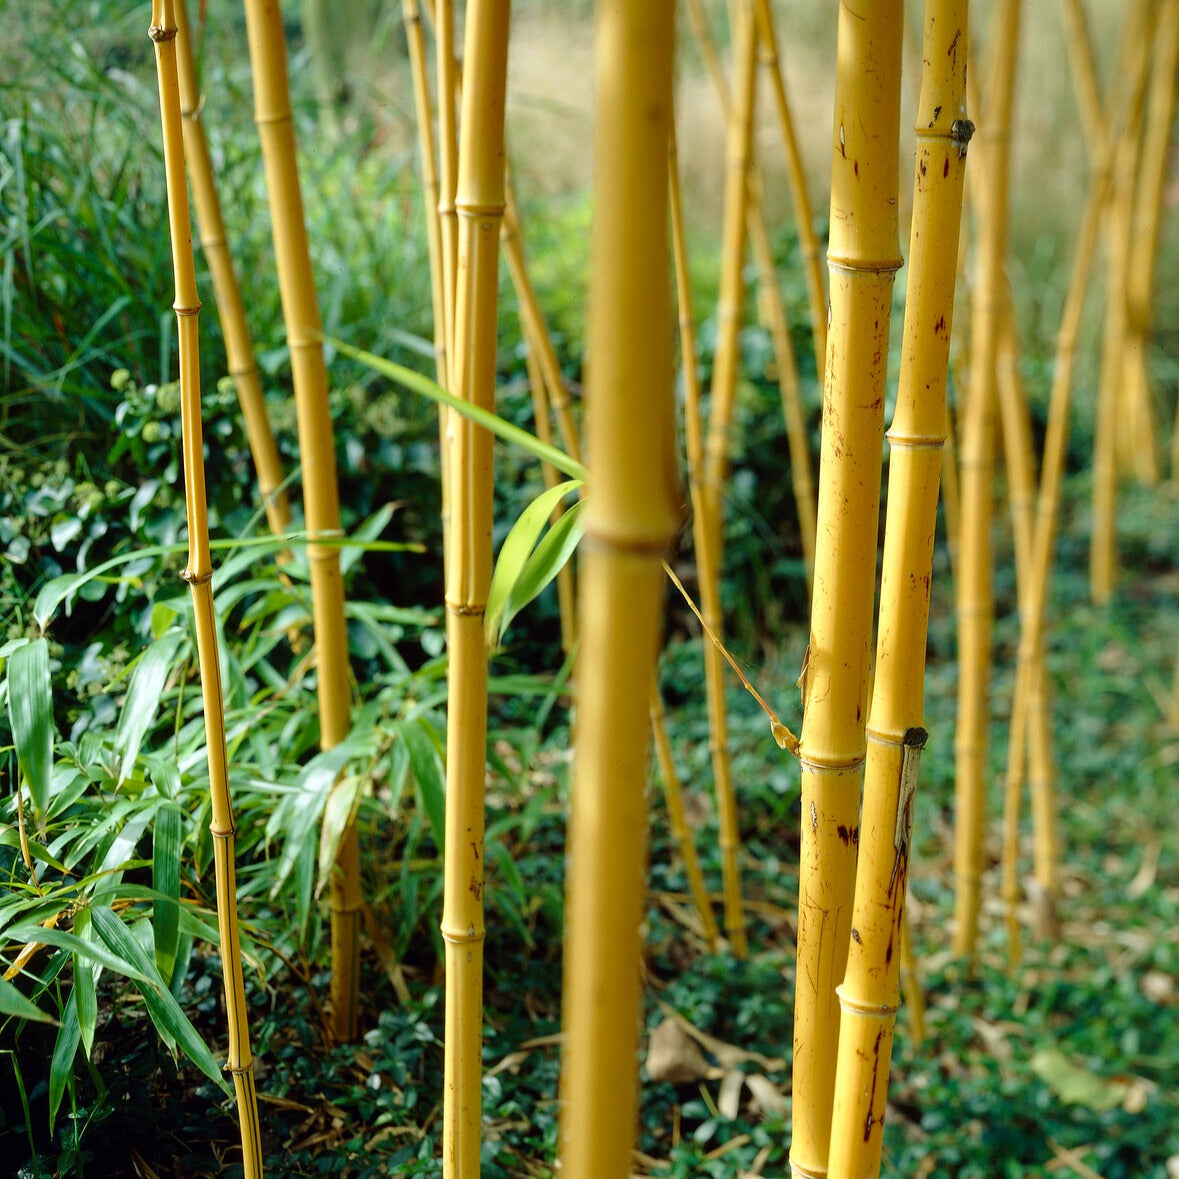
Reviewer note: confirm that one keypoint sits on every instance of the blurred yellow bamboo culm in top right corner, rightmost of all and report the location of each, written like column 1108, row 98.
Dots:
column 1149, row 201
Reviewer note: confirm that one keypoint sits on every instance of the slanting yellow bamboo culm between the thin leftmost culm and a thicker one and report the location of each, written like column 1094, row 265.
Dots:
column 243, row 368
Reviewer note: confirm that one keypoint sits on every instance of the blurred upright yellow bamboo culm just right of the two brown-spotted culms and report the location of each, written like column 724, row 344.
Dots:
column 973, row 588
